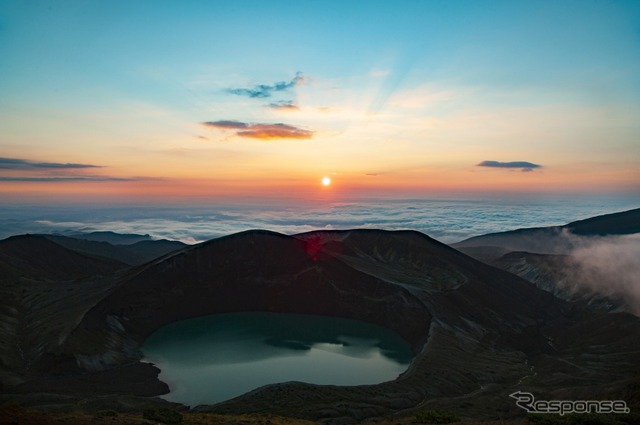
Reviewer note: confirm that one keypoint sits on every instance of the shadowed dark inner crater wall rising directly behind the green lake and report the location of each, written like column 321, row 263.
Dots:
column 253, row 271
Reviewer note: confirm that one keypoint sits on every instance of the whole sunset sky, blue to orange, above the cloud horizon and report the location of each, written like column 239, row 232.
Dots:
column 166, row 101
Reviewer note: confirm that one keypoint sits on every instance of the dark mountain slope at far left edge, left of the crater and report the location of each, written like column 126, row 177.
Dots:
column 45, row 289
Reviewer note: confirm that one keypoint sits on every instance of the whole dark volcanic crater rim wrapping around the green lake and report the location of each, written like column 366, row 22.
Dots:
column 471, row 316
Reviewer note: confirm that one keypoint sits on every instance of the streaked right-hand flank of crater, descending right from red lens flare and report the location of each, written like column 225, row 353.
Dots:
column 435, row 272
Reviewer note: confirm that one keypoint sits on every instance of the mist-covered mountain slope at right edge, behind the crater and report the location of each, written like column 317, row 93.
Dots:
column 545, row 257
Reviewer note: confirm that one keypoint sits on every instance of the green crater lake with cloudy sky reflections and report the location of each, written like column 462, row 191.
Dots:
column 209, row 359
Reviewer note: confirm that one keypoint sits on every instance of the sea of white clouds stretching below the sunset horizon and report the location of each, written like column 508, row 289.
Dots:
column 448, row 221
